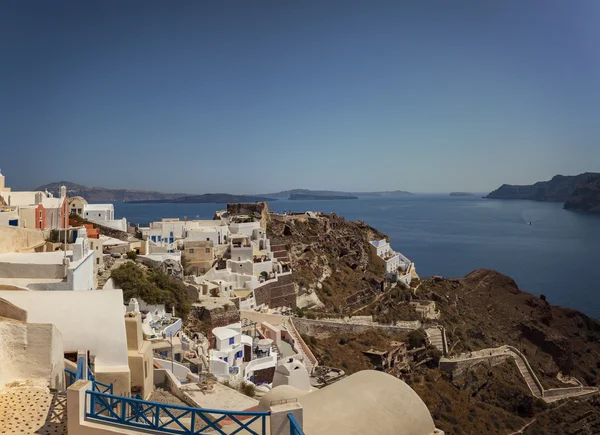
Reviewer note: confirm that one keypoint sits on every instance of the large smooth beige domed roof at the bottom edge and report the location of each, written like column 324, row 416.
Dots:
column 366, row 402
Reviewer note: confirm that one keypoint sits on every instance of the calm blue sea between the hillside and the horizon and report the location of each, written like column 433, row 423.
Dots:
column 544, row 248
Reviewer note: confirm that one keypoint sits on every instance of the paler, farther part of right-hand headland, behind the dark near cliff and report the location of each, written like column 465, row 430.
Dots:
column 559, row 188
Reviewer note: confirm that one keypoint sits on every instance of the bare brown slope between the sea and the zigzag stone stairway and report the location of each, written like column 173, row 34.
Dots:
column 487, row 309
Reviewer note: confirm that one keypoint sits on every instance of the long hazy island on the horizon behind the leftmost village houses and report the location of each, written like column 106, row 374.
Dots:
column 99, row 194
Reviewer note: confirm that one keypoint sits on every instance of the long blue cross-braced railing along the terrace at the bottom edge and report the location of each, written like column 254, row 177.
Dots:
column 172, row 419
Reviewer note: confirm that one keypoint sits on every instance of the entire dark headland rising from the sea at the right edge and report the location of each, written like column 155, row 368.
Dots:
column 578, row 192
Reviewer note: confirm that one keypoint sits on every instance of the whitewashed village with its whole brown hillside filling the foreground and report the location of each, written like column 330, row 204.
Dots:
column 265, row 323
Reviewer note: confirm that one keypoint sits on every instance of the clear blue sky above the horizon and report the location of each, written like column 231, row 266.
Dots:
column 261, row 96
